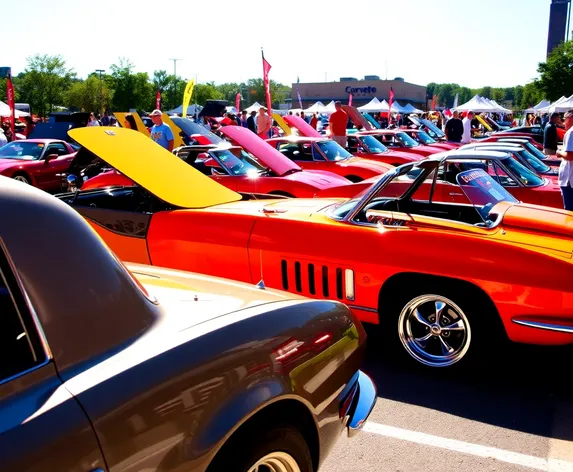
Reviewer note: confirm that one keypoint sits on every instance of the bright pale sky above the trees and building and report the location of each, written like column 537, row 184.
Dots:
column 473, row 43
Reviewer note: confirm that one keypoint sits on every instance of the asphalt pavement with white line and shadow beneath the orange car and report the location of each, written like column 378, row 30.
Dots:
column 514, row 416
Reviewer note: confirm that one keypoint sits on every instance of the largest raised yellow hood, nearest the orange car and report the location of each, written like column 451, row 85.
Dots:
column 152, row 167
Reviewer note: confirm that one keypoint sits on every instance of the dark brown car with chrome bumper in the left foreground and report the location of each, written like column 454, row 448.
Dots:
column 114, row 368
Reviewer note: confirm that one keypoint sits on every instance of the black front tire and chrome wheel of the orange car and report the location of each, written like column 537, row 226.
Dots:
column 463, row 307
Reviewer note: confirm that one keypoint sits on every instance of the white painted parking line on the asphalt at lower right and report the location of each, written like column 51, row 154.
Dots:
column 538, row 463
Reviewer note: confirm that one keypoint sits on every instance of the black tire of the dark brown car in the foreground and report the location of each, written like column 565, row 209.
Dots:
column 245, row 451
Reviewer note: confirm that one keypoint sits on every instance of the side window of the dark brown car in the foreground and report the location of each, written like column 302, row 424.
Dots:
column 19, row 343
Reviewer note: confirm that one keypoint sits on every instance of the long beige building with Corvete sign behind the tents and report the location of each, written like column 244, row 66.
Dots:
column 362, row 91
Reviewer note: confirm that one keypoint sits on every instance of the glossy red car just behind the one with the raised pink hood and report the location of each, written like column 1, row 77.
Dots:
column 321, row 153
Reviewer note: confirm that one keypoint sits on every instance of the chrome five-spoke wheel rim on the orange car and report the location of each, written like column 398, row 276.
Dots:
column 434, row 330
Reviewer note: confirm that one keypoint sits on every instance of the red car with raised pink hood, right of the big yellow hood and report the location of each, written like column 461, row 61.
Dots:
column 268, row 172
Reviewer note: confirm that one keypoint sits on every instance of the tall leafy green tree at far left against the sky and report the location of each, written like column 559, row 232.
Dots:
column 44, row 82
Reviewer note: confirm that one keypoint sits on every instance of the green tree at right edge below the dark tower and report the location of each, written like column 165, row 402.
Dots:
column 556, row 75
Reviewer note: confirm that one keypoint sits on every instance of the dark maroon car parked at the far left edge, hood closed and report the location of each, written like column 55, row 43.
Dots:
column 37, row 162
